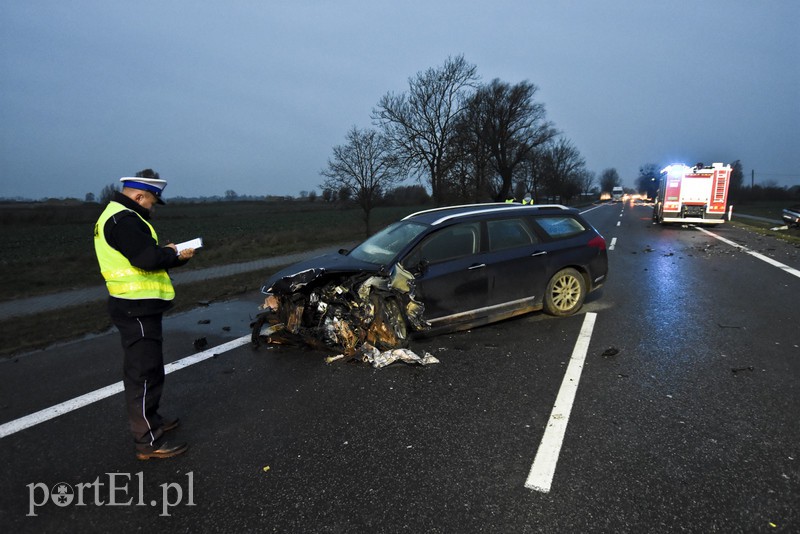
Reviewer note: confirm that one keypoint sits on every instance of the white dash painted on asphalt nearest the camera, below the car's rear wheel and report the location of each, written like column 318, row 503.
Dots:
column 540, row 477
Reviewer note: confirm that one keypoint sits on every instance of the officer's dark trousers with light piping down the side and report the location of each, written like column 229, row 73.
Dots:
column 143, row 374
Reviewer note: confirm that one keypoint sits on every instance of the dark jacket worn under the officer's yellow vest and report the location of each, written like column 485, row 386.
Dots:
column 130, row 235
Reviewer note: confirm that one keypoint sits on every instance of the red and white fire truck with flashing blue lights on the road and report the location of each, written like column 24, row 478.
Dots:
column 696, row 194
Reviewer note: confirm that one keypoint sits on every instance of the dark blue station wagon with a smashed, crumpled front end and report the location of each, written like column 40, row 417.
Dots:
column 437, row 270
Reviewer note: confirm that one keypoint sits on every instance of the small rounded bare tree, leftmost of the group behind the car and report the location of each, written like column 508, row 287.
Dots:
column 364, row 165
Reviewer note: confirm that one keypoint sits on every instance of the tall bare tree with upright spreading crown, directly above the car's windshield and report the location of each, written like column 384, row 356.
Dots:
column 420, row 124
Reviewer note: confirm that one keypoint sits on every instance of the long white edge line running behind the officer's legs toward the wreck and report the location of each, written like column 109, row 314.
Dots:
column 41, row 416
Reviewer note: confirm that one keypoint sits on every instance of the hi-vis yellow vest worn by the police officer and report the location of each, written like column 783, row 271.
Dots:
column 123, row 280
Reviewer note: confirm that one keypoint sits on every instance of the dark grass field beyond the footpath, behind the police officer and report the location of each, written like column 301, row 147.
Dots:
column 50, row 248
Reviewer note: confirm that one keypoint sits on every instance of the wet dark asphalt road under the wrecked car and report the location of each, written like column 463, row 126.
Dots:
column 685, row 416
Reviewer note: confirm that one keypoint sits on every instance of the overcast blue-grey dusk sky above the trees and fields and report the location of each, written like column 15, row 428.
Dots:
column 253, row 96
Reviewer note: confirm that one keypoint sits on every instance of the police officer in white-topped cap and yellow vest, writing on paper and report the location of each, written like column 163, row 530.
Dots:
column 135, row 267
